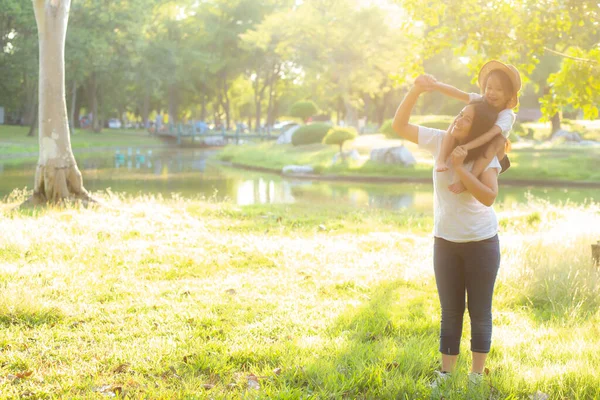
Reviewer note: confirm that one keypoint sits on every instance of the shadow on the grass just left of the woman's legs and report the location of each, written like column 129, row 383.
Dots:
column 387, row 348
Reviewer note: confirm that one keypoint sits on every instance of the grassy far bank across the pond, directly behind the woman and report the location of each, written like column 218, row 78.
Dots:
column 542, row 161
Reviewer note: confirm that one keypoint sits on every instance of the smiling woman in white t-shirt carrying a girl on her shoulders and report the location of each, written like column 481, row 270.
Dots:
column 466, row 246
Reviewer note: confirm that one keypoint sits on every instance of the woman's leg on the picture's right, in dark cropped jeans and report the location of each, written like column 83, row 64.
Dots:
column 482, row 261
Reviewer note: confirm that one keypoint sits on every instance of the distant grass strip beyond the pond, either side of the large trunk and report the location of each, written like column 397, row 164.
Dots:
column 14, row 139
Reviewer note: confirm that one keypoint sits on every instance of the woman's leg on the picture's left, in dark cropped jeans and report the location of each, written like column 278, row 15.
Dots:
column 449, row 278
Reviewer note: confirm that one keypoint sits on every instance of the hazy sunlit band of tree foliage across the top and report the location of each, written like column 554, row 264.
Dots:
column 228, row 61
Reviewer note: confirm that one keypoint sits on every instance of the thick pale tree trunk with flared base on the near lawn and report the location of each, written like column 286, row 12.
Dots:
column 57, row 177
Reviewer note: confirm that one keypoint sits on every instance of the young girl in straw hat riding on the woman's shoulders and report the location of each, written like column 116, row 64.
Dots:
column 500, row 84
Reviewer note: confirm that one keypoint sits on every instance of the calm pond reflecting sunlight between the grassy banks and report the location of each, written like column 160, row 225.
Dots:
column 194, row 173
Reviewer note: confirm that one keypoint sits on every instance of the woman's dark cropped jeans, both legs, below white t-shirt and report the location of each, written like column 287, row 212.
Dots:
column 470, row 267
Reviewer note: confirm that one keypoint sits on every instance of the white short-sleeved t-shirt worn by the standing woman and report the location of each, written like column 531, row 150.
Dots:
column 457, row 217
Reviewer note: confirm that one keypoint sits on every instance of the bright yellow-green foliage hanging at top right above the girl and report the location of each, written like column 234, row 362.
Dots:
column 521, row 33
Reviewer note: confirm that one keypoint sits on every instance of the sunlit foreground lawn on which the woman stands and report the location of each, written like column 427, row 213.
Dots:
column 153, row 298
